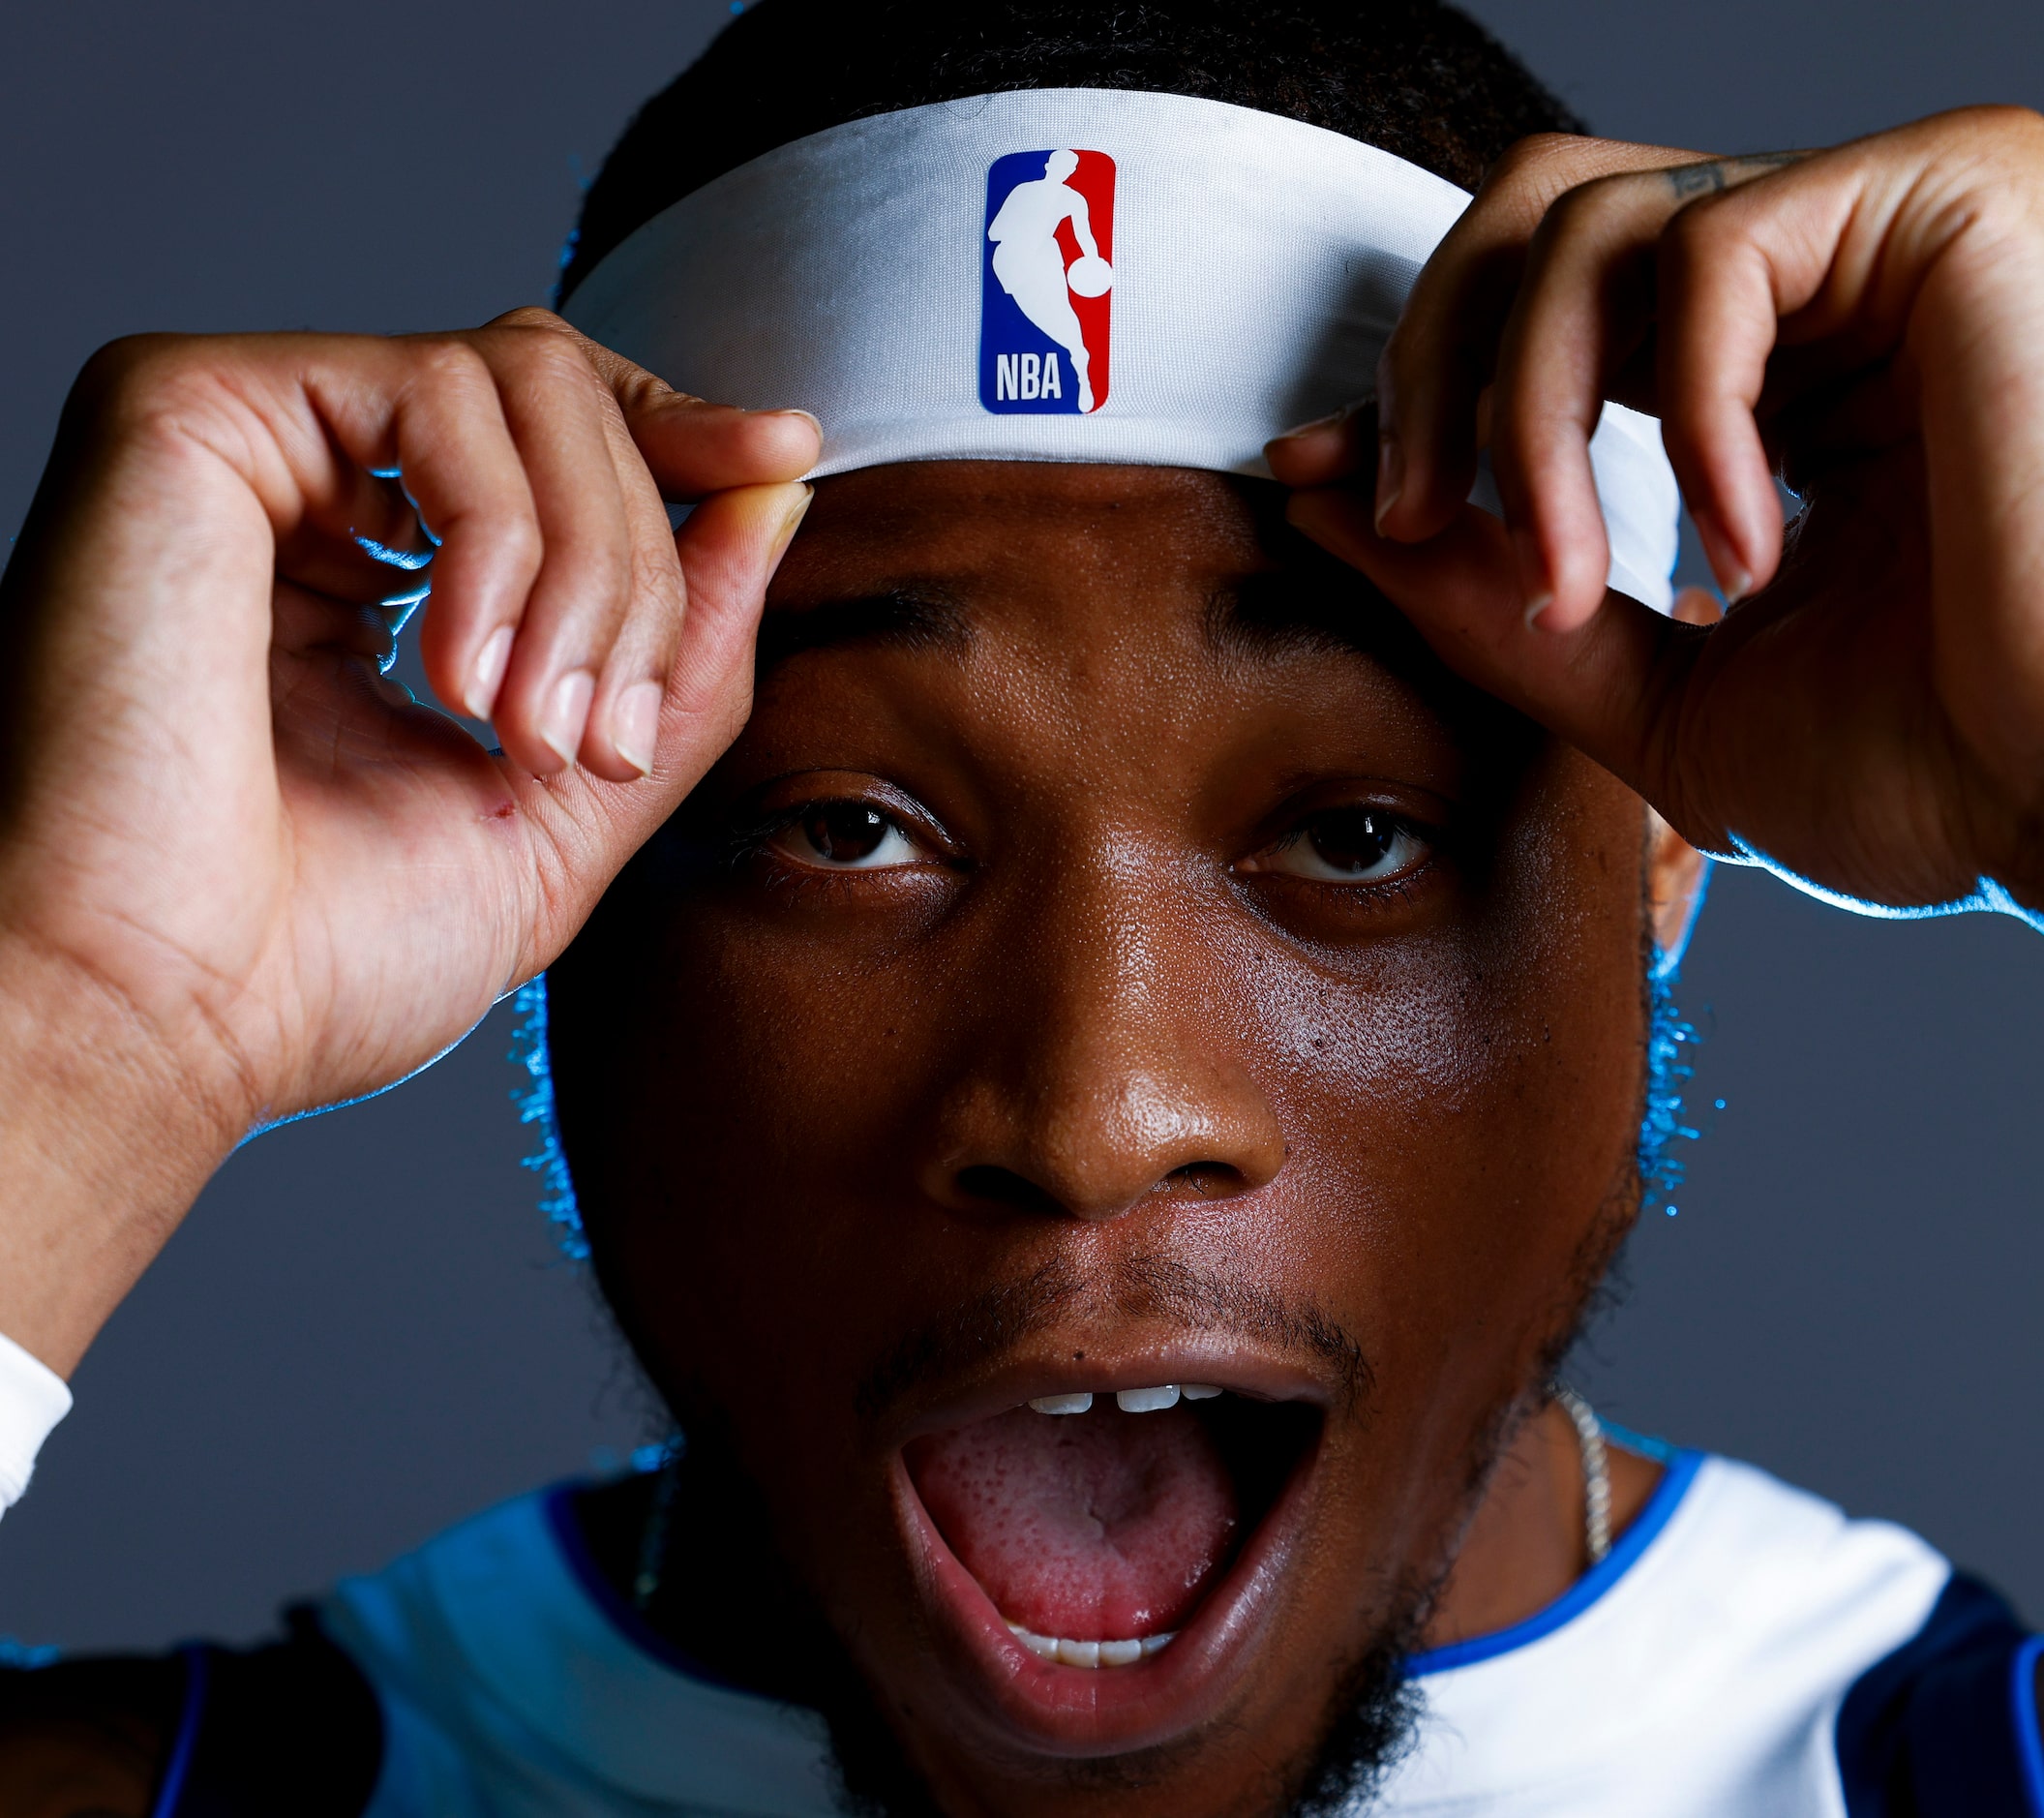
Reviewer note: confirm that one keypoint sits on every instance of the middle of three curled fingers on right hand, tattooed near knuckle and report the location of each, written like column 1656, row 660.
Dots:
column 1587, row 304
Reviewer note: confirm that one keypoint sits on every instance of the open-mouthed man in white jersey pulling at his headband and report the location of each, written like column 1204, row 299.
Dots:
column 1056, row 688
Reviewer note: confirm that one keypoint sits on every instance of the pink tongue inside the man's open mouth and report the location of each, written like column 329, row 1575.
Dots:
column 1097, row 1527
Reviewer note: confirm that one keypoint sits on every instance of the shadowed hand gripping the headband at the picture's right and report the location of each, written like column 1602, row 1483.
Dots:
column 1867, row 322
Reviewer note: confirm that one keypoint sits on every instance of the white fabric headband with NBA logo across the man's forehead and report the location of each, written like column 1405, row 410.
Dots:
column 931, row 281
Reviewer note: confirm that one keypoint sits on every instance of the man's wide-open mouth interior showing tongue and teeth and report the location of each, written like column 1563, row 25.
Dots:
column 1101, row 1525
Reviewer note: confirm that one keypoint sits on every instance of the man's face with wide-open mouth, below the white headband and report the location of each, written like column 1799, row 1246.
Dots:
column 1113, row 956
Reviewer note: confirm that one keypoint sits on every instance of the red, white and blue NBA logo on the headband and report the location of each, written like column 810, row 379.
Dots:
column 1046, row 291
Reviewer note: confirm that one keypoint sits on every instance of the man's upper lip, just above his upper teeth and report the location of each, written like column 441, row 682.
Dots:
column 1105, row 1369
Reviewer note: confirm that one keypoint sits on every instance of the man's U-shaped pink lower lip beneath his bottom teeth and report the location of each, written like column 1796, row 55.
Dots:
column 1107, row 1711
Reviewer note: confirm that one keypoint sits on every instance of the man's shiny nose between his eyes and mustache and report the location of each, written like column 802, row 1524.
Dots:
column 1105, row 1062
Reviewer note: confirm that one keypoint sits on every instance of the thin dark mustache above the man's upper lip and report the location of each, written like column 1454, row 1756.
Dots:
column 1137, row 1287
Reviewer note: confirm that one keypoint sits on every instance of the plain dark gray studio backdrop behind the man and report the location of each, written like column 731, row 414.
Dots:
column 361, row 1332
